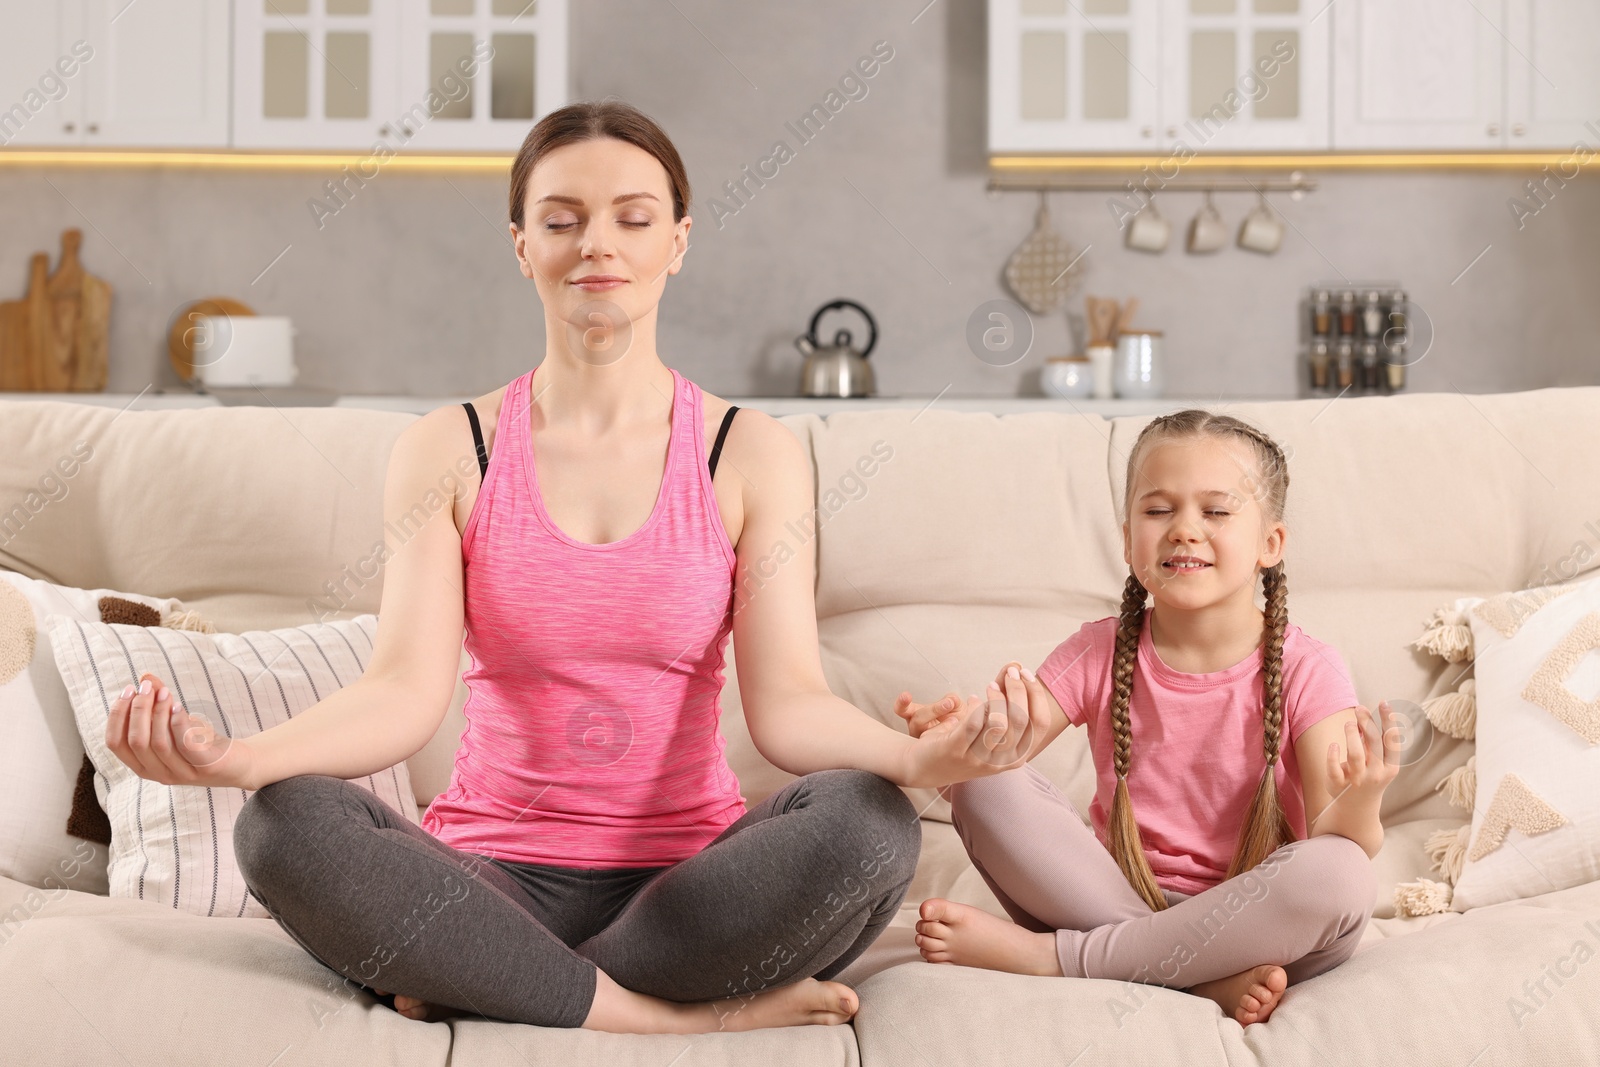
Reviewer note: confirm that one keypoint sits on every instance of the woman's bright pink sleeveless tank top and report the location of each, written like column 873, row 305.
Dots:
column 596, row 673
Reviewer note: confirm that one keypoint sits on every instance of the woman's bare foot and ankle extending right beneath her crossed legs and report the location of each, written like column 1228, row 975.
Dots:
column 807, row 1002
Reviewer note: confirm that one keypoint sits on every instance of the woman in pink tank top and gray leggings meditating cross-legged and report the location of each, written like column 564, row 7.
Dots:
column 591, row 863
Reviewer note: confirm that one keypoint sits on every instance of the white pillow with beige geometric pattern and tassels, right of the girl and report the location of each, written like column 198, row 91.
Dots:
column 1537, row 810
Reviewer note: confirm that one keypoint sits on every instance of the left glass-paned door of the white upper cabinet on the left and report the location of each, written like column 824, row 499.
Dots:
column 314, row 73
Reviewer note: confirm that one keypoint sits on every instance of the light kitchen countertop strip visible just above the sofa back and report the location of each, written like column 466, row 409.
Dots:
column 770, row 406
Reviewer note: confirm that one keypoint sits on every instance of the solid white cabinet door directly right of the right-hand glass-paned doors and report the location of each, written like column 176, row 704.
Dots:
column 1420, row 74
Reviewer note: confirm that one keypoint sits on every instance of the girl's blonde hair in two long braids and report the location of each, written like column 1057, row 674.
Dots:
column 1266, row 828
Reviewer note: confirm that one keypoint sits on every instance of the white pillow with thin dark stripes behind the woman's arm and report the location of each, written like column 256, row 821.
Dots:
column 175, row 844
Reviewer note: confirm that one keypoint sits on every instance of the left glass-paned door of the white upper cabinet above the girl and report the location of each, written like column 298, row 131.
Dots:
column 1074, row 74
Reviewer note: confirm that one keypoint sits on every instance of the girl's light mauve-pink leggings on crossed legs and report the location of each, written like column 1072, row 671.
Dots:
column 1305, row 908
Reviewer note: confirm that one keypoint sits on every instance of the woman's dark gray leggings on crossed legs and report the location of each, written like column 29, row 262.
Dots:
column 798, row 889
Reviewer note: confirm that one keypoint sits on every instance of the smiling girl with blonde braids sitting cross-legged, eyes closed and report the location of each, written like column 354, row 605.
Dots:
column 1217, row 887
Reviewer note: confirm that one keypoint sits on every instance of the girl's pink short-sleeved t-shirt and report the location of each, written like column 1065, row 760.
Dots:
column 1198, row 741
